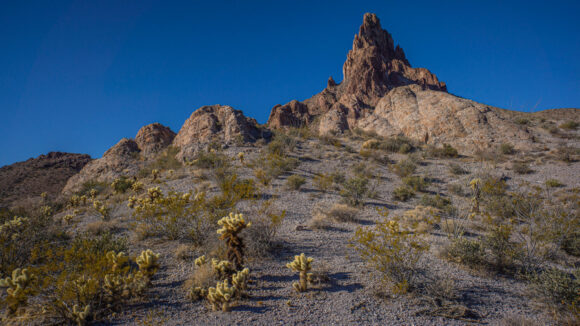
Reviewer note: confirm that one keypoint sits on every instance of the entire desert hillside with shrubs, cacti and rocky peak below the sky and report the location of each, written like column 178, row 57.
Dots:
column 382, row 200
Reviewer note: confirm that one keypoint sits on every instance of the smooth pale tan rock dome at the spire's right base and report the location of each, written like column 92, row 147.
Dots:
column 438, row 117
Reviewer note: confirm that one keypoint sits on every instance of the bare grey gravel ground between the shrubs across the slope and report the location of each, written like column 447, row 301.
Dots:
column 353, row 295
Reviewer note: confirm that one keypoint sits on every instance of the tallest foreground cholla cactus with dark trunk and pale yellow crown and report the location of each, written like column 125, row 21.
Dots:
column 231, row 226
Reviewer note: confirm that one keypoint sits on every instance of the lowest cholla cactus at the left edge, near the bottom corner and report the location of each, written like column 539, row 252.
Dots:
column 18, row 288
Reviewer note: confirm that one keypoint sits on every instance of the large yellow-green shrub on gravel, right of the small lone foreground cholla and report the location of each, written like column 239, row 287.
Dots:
column 393, row 252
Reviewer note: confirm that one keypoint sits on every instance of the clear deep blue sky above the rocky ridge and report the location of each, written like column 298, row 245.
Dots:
column 77, row 76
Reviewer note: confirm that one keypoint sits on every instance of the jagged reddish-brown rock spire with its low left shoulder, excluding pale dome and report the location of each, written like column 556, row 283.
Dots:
column 373, row 67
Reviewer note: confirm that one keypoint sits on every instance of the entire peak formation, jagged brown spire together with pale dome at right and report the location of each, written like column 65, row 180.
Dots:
column 382, row 92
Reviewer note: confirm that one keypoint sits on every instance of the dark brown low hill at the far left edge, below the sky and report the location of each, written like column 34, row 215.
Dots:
column 46, row 173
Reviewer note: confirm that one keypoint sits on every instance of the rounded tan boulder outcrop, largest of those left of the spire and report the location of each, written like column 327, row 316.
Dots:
column 215, row 123
